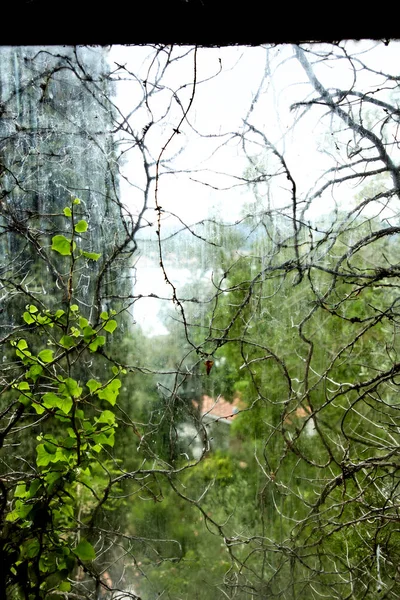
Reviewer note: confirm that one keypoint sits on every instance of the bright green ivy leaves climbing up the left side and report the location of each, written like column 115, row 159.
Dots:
column 52, row 504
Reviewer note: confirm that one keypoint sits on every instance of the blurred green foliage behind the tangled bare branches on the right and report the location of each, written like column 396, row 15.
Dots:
column 304, row 498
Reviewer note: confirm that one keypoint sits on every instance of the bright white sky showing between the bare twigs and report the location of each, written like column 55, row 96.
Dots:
column 219, row 107
